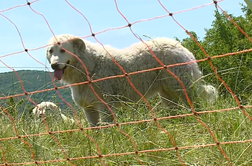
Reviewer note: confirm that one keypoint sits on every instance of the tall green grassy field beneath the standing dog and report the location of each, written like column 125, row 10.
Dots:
column 117, row 145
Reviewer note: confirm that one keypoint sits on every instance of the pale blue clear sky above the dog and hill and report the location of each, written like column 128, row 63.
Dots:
column 31, row 27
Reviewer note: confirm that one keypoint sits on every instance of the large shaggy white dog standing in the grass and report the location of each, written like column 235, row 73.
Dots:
column 134, row 58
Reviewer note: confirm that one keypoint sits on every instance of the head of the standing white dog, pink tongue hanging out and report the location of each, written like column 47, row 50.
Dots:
column 62, row 51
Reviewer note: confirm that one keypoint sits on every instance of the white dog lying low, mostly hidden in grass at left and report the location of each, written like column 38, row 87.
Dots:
column 42, row 107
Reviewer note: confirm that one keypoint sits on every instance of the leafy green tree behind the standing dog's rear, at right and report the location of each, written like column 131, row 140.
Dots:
column 224, row 37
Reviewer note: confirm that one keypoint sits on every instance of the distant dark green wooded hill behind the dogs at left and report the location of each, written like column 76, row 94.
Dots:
column 33, row 80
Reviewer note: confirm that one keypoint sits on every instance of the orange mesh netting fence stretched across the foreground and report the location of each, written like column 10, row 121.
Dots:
column 90, row 82
